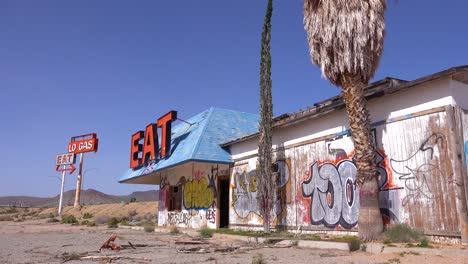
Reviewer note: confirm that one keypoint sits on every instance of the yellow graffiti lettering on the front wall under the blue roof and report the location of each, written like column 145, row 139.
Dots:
column 197, row 194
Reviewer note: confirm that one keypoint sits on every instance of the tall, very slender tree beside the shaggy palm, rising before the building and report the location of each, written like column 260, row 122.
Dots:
column 265, row 180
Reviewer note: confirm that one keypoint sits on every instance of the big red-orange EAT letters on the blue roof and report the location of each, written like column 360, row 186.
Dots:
column 150, row 149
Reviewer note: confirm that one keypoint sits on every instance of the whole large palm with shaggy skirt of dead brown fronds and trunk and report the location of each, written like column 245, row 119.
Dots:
column 346, row 41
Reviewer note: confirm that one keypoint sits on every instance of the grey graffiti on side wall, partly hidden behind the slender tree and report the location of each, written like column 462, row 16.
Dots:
column 244, row 190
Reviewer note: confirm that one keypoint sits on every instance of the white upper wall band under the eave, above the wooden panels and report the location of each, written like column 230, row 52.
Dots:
column 418, row 98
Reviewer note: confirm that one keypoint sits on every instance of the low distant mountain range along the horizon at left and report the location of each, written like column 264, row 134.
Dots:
column 89, row 196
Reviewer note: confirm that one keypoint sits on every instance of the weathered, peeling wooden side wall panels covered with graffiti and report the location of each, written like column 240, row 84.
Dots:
column 316, row 180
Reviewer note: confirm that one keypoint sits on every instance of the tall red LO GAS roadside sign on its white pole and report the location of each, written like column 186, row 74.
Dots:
column 80, row 145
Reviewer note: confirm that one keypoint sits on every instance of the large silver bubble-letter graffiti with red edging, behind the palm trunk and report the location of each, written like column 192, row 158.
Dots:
column 331, row 186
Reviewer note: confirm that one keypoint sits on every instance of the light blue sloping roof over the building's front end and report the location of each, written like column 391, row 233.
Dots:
column 201, row 140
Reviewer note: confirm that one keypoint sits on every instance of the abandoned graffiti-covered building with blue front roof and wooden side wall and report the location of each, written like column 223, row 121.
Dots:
column 420, row 128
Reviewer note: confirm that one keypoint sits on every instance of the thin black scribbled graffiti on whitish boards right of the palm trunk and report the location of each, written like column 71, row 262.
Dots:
column 416, row 174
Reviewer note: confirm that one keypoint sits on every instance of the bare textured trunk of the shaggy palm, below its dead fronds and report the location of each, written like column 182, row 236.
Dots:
column 370, row 221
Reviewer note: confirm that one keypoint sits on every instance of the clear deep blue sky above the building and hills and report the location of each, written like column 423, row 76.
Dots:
column 111, row 67
